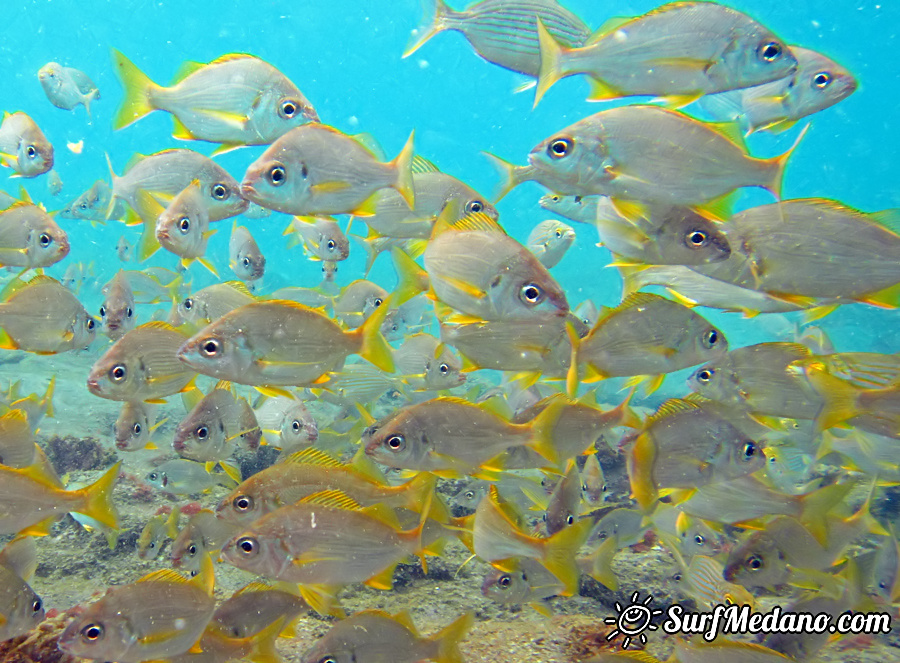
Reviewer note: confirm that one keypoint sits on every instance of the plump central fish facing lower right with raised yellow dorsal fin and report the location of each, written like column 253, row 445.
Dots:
column 477, row 269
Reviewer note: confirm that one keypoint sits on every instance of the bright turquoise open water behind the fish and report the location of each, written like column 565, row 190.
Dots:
column 346, row 58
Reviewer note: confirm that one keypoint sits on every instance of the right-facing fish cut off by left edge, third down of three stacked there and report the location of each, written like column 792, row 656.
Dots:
column 43, row 316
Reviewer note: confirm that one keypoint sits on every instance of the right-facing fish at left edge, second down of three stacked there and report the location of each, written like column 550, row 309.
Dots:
column 30, row 238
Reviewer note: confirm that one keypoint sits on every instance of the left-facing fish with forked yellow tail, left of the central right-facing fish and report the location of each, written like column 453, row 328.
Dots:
column 249, row 345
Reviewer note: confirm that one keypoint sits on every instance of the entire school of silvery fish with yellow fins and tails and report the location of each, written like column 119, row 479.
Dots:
column 458, row 407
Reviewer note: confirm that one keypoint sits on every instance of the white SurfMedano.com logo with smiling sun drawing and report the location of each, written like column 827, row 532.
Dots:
column 636, row 618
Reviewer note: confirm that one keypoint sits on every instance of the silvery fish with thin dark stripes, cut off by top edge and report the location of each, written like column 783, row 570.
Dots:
column 504, row 32
